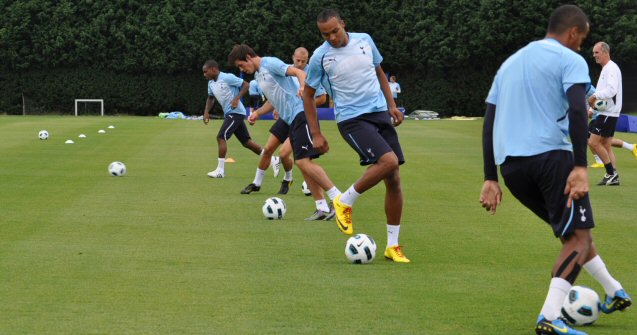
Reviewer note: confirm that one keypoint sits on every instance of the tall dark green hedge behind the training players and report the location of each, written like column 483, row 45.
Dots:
column 145, row 57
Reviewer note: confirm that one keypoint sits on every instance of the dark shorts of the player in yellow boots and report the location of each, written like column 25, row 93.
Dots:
column 371, row 135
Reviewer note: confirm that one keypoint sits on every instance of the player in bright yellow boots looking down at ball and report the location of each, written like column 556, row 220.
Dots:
column 348, row 66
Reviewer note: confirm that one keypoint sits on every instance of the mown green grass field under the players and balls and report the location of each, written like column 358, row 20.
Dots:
column 167, row 250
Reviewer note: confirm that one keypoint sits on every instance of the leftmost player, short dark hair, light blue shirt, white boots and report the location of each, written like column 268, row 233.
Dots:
column 228, row 90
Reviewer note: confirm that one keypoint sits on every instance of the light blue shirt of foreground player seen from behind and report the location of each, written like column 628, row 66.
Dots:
column 529, row 92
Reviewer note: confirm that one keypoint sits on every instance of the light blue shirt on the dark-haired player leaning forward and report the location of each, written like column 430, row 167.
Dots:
column 280, row 89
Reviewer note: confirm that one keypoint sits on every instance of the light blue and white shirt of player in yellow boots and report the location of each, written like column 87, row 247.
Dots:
column 348, row 74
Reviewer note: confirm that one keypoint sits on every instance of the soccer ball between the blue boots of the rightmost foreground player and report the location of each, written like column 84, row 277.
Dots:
column 581, row 306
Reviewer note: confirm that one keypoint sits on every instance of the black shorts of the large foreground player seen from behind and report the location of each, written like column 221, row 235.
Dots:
column 538, row 182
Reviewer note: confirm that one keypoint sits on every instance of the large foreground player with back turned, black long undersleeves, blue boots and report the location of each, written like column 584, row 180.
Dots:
column 536, row 101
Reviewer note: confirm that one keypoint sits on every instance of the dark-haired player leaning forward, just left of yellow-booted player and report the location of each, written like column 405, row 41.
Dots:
column 283, row 94
